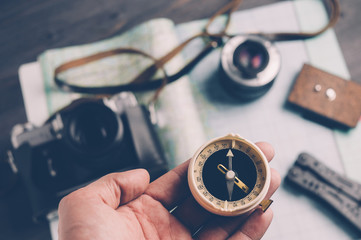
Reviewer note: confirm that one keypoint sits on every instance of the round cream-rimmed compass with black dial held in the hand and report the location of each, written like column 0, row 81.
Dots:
column 229, row 176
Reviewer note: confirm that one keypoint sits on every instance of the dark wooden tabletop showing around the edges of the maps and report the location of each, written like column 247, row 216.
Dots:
column 27, row 28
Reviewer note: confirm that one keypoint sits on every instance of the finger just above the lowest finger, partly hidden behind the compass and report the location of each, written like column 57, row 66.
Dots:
column 223, row 227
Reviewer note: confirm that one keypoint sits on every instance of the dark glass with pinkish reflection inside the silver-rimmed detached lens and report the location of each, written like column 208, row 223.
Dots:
column 250, row 58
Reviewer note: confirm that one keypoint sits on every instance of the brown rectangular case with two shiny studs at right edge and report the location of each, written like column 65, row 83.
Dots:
column 327, row 95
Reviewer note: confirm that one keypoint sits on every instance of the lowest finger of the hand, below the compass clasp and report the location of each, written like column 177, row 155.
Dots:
column 255, row 226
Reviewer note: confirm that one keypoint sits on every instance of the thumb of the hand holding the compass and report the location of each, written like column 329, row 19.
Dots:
column 118, row 188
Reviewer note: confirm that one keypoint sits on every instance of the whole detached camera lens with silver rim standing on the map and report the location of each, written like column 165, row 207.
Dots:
column 249, row 64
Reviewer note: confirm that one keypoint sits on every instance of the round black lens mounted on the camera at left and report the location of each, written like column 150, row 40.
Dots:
column 93, row 128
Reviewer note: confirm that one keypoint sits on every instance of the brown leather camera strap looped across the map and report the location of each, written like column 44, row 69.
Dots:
column 144, row 80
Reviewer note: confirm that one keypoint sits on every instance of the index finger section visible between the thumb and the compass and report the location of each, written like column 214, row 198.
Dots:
column 171, row 188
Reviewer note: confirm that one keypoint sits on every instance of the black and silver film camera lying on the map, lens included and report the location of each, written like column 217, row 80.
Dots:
column 82, row 142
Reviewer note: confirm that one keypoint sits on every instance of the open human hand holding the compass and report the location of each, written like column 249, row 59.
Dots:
column 125, row 206
